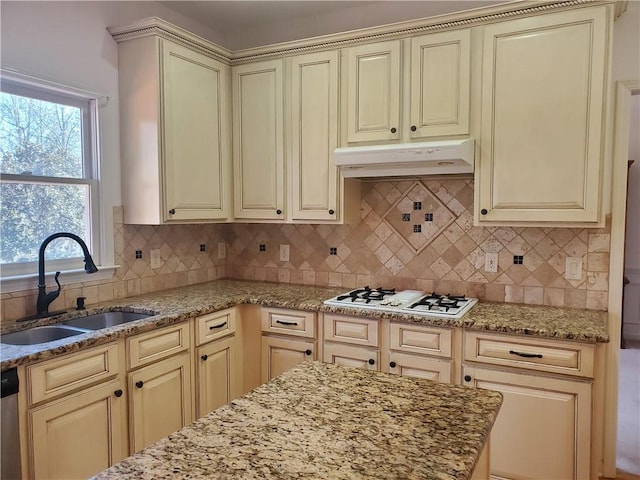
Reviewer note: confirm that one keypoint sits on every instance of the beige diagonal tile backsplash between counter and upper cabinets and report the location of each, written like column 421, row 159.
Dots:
column 413, row 234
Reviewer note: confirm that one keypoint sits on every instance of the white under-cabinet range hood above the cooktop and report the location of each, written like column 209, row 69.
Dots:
column 407, row 159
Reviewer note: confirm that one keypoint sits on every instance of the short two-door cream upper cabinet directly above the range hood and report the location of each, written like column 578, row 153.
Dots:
column 436, row 72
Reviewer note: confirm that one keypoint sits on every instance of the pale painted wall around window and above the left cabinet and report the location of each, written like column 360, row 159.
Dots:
column 67, row 43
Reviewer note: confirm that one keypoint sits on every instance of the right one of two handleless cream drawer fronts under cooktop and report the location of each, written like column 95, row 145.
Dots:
column 420, row 339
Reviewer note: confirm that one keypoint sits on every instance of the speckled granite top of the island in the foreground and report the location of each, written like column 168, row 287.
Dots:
column 320, row 420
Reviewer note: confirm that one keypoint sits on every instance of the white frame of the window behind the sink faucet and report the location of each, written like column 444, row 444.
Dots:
column 88, row 104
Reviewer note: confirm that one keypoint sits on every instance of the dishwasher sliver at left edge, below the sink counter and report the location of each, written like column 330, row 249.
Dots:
column 10, row 459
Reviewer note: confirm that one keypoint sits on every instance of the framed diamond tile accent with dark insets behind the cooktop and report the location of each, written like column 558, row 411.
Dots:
column 418, row 238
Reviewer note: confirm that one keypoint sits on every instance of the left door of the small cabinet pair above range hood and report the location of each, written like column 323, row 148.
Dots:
column 373, row 97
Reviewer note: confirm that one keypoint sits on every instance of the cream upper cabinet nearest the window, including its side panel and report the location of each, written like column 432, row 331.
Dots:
column 175, row 135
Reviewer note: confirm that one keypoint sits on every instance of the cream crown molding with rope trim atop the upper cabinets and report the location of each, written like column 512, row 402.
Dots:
column 155, row 26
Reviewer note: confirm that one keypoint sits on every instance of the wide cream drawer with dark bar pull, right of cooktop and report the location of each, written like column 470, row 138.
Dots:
column 532, row 354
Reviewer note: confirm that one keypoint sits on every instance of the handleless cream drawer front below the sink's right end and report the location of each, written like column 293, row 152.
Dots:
column 153, row 346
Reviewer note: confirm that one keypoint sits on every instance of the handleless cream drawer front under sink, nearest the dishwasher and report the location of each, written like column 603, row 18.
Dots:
column 64, row 375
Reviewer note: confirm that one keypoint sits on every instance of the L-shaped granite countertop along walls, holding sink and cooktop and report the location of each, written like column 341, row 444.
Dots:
column 176, row 305
